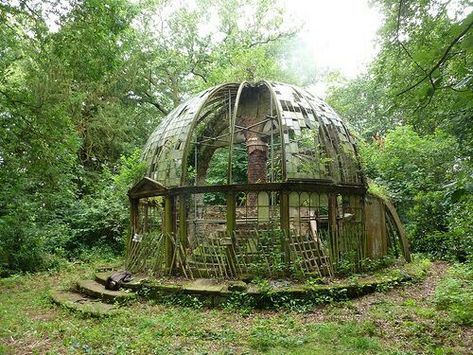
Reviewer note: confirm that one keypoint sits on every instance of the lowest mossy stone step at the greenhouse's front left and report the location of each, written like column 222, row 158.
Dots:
column 77, row 302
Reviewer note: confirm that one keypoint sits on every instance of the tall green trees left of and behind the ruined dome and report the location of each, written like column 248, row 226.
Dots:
column 82, row 84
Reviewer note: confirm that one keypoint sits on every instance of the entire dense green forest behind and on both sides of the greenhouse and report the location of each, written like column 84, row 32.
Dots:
column 83, row 83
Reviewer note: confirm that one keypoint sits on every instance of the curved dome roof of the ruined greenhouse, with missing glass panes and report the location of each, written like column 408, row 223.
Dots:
column 298, row 136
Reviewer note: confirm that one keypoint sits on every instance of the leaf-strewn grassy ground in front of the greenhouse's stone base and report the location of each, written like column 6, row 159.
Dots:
column 403, row 320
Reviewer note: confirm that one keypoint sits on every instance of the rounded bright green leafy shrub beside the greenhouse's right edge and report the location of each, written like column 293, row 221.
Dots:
column 431, row 187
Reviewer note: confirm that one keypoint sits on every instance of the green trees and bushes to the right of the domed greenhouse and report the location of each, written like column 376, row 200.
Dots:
column 413, row 108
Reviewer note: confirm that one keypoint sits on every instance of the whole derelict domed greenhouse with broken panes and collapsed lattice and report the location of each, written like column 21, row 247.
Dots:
column 256, row 179
